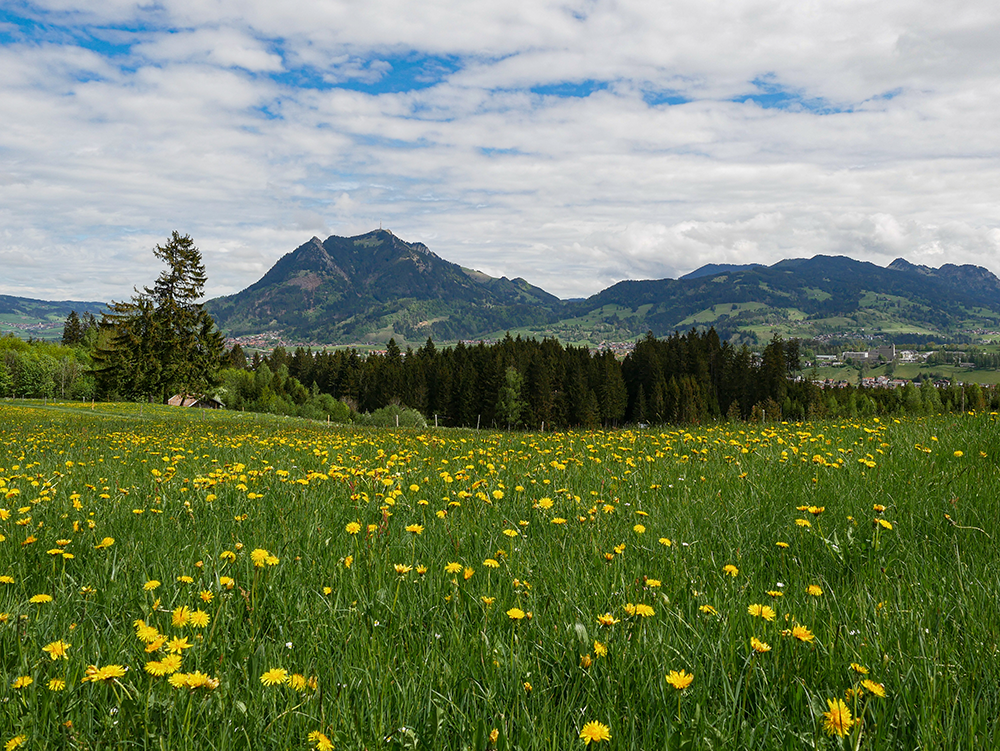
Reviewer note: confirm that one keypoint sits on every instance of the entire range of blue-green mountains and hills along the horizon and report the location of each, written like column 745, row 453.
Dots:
column 348, row 290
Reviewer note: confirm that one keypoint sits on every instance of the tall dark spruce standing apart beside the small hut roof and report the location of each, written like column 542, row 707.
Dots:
column 162, row 341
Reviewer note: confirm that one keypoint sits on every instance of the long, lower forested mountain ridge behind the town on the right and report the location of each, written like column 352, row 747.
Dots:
column 806, row 297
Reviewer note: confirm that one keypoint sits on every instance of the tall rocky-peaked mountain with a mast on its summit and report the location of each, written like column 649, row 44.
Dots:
column 351, row 289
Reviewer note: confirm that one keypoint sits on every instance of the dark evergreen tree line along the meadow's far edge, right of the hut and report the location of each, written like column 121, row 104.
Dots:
column 689, row 378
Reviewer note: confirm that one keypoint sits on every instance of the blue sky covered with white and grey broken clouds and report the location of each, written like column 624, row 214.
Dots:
column 574, row 143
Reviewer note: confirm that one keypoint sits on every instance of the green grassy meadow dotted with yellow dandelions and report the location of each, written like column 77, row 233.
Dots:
column 183, row 580
